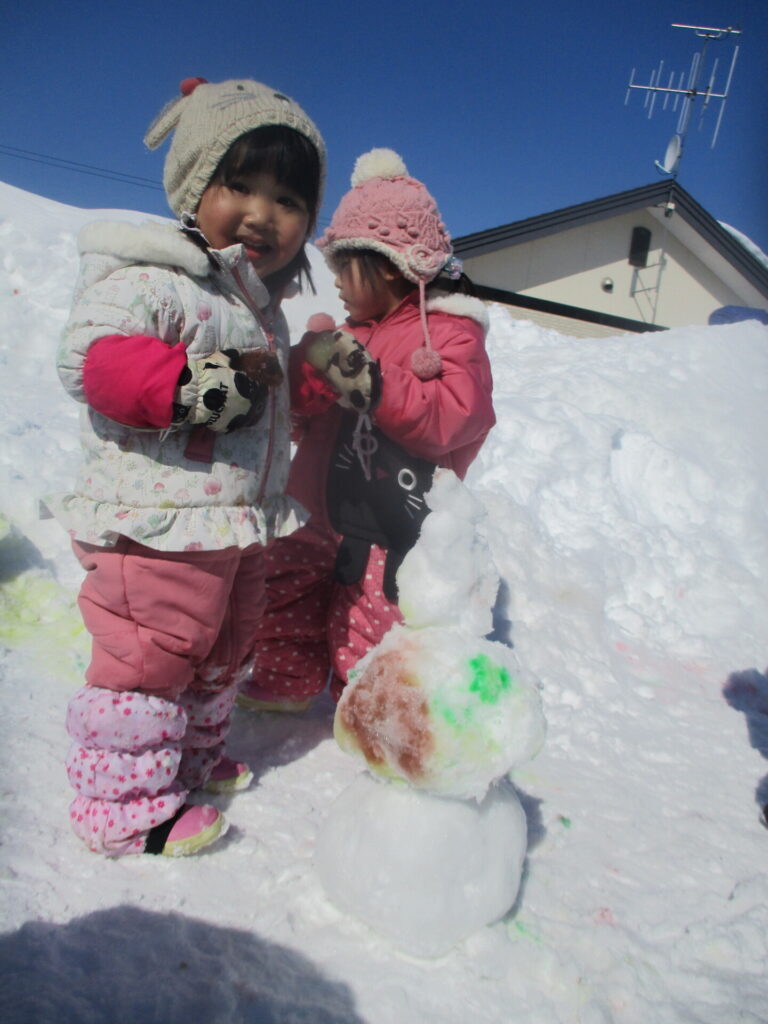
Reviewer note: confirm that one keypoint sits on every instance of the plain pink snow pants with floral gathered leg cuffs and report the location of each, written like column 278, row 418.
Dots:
column 173, row 636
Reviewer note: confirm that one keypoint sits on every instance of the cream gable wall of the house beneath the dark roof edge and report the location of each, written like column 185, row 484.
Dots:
column 571, row 267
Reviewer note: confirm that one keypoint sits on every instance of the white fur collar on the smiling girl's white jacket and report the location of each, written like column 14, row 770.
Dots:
column 151, row 242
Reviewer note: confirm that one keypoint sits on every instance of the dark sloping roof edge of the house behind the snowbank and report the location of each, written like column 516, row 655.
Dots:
column 665, row 199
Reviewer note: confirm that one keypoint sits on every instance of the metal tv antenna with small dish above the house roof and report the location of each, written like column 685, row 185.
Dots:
column 685, row 94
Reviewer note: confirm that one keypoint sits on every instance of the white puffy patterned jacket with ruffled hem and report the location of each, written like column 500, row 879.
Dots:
column 153, row 280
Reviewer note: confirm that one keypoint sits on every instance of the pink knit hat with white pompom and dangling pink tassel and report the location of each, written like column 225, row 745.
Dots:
column 394, row 215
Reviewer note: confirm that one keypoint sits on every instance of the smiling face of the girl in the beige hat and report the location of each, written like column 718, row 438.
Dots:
column 270, row 220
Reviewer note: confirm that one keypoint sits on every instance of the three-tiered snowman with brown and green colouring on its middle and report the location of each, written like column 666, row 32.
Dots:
column 428, row 844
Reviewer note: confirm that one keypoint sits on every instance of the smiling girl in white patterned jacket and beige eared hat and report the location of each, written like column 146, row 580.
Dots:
column 177, row 348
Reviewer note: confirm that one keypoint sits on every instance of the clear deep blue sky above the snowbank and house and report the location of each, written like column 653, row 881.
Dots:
column 505, row 110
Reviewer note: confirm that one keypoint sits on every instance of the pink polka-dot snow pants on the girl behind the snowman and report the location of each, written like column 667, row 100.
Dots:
column 313, row 624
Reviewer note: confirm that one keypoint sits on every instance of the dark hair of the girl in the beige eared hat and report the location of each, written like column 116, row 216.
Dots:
column 294, row 162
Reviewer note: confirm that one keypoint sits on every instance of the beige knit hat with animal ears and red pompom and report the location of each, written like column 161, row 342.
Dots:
column 206, row 119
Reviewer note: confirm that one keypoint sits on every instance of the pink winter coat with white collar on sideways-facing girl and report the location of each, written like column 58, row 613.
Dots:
column 445, row 420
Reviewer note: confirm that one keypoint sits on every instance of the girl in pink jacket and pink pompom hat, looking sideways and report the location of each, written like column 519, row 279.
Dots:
column 405, row 388
